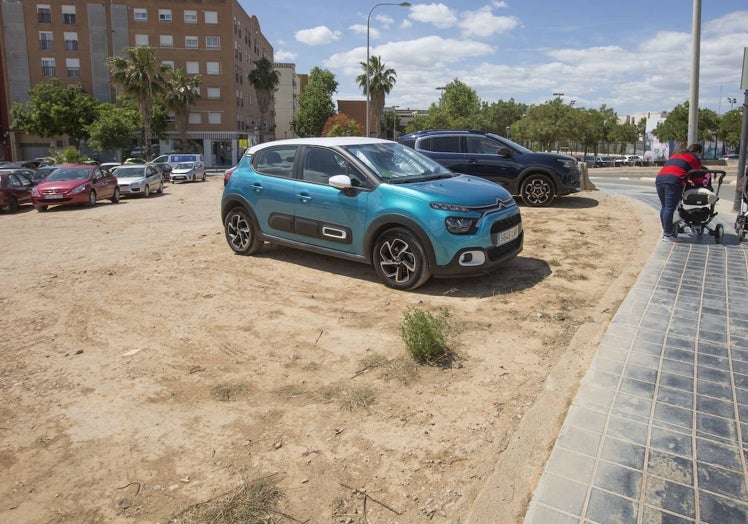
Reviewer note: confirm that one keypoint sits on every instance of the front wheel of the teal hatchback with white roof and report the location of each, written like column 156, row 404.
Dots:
column 400, row 260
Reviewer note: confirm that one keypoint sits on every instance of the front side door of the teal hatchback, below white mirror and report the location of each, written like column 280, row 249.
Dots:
column 325, row 216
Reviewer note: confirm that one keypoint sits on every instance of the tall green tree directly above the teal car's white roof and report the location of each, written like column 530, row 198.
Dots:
column 315, row 103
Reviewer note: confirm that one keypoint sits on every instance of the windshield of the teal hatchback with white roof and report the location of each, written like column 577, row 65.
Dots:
column 397, row 163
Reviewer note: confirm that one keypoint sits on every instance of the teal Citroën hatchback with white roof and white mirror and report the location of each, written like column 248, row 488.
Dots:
column 372, row 201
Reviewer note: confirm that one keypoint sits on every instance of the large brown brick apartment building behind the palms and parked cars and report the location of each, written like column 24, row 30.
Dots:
column 72, row 40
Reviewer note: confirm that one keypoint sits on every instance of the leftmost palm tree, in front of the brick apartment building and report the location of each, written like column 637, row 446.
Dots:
column 140, row 75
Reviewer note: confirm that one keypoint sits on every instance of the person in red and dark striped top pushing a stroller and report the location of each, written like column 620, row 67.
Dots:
column 670, row 182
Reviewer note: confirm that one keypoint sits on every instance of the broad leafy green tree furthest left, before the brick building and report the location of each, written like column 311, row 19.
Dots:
column 54, row 109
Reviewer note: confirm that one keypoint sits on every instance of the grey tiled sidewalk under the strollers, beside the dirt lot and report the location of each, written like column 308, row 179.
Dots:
column 658, row 431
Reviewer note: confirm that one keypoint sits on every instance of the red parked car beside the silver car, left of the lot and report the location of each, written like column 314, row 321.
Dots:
column 75, row 184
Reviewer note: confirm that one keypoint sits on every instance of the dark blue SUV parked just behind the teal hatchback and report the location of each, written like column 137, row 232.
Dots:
column 537, row 178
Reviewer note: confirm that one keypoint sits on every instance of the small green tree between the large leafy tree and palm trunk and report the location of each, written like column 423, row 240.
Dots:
column 114, row 127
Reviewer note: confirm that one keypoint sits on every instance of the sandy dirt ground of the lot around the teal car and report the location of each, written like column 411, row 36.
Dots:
column 145, row 368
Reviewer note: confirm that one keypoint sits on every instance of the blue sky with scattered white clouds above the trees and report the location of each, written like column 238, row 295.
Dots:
column 632, row 56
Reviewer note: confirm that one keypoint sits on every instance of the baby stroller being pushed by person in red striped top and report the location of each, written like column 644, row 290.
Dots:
column 696, row 207
